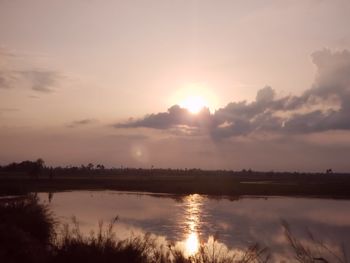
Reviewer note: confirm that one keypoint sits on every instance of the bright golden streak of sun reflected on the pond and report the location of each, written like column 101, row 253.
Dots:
column 192, row 222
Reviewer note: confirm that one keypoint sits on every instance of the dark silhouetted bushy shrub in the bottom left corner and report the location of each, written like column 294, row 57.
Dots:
column 26, row 230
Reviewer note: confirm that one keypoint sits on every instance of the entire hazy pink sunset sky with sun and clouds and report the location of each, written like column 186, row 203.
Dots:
column 123, row 83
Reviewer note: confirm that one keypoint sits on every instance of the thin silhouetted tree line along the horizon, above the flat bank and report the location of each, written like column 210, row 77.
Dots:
column 37, row 168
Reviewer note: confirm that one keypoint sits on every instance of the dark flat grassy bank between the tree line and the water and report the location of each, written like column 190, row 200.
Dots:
column 318, row 186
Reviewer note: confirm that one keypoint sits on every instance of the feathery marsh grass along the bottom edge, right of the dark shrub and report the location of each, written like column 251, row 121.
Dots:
column 104, row 246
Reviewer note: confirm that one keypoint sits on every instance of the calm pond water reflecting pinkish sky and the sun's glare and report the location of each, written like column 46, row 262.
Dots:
column 187, row 220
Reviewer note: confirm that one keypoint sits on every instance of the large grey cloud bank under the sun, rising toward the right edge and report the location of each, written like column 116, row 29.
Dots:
column 325, row 106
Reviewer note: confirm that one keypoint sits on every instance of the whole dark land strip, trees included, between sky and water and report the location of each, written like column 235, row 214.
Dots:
column 18, row 178
